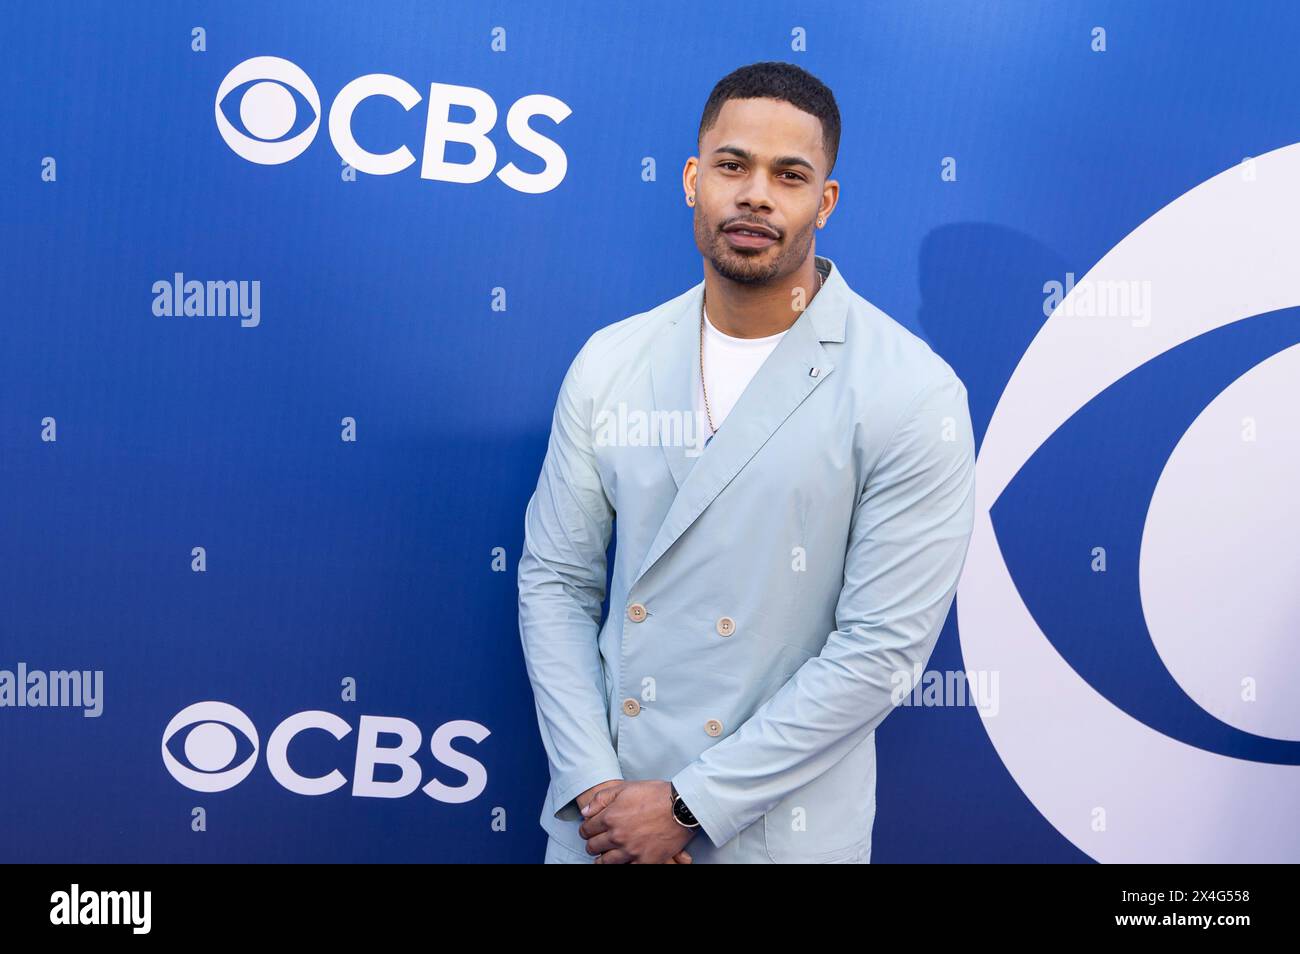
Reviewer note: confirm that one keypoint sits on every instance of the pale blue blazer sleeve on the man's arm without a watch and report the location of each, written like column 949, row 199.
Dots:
column 562, row 586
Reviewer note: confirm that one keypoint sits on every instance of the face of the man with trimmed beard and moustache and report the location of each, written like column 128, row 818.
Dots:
column 751, row 172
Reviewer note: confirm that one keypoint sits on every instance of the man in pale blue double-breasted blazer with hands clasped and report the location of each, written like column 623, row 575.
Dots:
column 782, row 570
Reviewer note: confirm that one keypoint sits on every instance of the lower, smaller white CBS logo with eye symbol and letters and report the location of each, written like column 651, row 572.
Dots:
column 213, row 749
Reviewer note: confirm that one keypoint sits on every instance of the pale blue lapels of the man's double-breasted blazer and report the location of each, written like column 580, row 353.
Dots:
column 798, row 366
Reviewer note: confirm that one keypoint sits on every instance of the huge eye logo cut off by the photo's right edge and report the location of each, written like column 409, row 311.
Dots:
column 1146, row 704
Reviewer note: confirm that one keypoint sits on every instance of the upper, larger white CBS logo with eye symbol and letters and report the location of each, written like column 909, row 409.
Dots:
column 268, row 111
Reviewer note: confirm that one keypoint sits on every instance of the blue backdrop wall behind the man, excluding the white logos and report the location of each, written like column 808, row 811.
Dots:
column 318, row 506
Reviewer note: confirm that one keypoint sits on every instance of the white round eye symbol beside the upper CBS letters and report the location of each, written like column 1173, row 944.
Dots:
column 268, row 110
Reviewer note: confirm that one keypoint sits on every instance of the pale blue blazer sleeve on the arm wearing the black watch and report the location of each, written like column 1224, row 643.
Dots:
column 908, row 544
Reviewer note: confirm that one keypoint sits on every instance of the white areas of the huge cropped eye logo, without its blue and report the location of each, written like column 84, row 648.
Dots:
column 1120, row 790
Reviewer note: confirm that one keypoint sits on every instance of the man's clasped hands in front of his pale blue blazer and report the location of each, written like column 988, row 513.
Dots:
column 632, row 822
